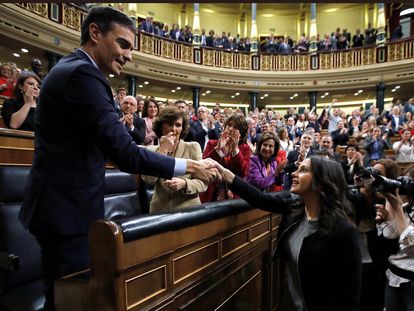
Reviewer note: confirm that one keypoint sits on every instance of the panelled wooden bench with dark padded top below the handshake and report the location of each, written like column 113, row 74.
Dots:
column 210, row 257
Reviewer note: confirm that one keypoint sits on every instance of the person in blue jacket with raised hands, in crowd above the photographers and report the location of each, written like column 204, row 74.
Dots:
column 374, row 146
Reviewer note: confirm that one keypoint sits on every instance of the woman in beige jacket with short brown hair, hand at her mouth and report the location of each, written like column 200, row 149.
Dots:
column 171, row 126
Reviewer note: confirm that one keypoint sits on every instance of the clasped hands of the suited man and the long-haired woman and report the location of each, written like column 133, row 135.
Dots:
column 209, row 171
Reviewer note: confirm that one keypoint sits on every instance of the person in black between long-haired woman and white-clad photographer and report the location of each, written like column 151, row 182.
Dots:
column 375, row 249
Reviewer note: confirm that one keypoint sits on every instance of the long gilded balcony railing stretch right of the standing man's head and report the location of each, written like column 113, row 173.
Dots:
column 179, row 51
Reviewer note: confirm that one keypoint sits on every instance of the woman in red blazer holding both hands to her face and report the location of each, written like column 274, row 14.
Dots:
column 231, row 151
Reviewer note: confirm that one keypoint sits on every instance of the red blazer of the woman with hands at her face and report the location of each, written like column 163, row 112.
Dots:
column 239, row 165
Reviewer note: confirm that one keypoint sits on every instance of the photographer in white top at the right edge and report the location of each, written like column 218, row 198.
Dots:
column 396, row 221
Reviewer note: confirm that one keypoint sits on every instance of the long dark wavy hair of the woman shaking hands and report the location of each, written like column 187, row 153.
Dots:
column 330, row 183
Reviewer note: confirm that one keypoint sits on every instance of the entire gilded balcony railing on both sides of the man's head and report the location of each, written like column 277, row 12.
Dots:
column 71, row 16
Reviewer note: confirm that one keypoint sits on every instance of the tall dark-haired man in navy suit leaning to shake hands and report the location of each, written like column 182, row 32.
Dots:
column 76, row 130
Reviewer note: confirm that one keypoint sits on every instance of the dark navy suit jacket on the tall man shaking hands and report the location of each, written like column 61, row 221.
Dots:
column 76, row 130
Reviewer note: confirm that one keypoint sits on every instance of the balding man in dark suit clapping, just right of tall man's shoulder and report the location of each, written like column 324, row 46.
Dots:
column 128, row 117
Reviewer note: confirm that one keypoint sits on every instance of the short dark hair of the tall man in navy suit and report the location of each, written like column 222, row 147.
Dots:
column 104, row 17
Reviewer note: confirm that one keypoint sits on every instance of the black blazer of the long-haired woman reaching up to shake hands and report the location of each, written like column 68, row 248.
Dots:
column 329, row 264
